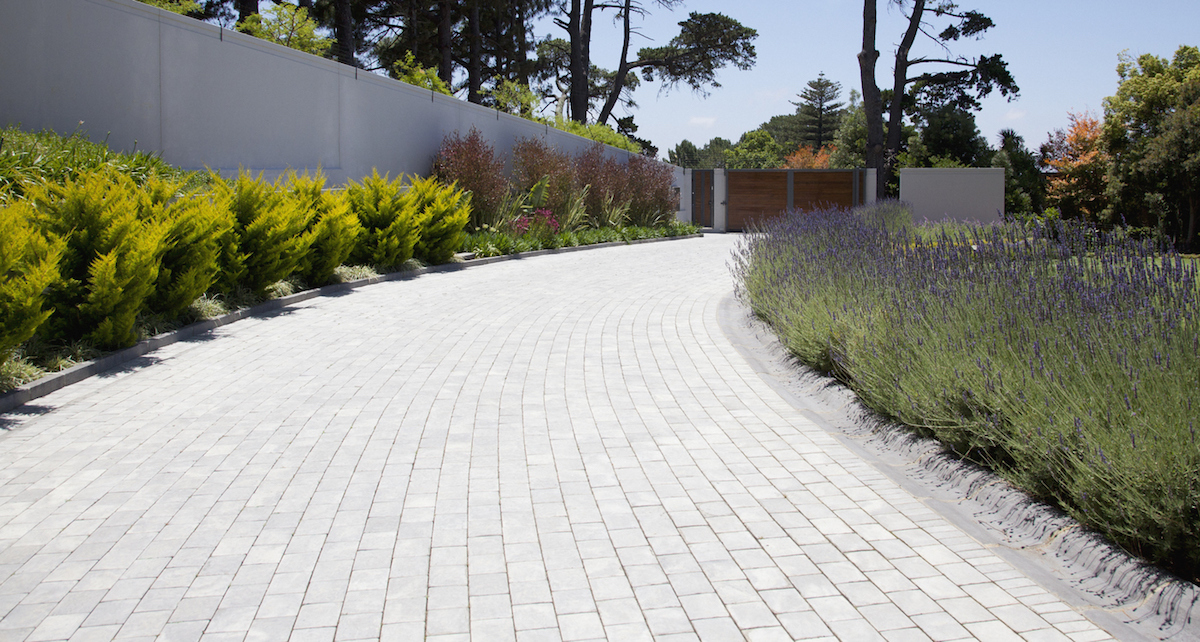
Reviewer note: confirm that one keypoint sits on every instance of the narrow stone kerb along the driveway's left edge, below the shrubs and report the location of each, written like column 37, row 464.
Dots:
column 25, row 394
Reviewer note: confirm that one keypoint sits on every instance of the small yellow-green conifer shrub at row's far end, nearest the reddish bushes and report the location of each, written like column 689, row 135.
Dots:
column 446, row 213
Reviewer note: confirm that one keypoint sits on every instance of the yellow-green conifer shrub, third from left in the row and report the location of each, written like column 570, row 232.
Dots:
column 197, row 227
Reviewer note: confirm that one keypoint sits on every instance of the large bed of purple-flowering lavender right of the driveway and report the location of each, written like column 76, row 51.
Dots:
column 1064, row 358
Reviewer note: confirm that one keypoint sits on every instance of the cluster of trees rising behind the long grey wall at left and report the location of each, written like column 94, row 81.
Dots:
column 488, row 51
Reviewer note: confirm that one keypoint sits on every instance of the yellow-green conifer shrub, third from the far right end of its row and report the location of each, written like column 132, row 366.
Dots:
column 333, row 232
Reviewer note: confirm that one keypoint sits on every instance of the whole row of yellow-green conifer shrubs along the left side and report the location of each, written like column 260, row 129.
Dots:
column 86, row 255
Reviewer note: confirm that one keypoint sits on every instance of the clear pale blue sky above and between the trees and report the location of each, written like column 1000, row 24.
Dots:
column 1063, row 55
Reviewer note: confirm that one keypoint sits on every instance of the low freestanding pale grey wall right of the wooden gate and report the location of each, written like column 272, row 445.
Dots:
column 964, row 195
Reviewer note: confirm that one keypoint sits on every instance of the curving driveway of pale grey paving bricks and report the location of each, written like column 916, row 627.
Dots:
column 556, row 448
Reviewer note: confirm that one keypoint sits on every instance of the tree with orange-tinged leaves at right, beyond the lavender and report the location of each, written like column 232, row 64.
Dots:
column 1082, row 166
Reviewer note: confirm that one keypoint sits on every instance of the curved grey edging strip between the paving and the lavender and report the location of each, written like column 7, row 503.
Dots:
column 1130, row 598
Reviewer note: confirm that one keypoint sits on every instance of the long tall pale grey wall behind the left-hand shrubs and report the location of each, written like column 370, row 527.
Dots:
column 203, row 97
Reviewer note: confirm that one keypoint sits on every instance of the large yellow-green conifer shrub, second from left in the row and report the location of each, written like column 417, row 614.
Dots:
column 111, row 262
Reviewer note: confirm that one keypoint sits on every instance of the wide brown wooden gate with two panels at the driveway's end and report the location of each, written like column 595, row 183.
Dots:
column 758, row 195
